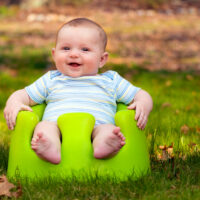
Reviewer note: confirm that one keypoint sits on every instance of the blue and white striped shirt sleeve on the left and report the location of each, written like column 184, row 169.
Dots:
column 38, row 91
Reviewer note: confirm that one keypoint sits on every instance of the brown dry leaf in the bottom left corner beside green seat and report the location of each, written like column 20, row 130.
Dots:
column 6, row 186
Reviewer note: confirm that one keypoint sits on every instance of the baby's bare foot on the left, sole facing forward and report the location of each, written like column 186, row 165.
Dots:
column 45, row 149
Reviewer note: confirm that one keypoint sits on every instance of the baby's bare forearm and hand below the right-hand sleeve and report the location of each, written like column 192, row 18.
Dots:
column 143, row 105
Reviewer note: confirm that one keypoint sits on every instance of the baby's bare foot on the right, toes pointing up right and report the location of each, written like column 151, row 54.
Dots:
column 110, row 144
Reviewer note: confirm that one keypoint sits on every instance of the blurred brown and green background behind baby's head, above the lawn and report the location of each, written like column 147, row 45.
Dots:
column 152, row 34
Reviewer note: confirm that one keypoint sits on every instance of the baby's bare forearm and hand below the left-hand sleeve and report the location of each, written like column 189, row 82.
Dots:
column 19, row 100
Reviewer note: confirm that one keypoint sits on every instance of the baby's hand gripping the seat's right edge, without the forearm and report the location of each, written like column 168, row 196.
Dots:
column 141, row 113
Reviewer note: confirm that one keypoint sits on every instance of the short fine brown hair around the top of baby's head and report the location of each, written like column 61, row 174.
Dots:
column 86, row 22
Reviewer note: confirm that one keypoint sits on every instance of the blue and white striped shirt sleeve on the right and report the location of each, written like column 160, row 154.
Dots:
column 125, row 91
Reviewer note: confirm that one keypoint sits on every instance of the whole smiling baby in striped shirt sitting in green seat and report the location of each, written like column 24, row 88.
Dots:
column 76, row 86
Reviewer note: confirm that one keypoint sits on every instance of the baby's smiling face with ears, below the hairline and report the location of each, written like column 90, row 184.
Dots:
column 79, row 52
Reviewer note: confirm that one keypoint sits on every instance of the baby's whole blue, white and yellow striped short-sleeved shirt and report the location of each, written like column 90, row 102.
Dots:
column 96, row 95
